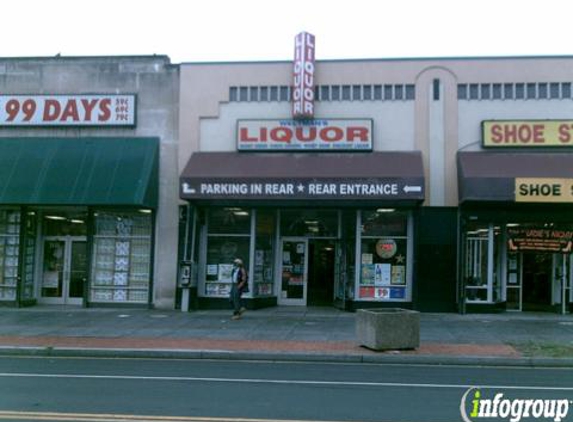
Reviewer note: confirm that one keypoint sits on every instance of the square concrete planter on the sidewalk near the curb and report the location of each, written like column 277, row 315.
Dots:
column 388, row 329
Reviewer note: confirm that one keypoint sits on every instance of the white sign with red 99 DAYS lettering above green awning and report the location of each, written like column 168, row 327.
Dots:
column 67, row 110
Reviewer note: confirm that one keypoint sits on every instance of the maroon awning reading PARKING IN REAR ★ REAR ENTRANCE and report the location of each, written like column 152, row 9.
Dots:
column 375, row 177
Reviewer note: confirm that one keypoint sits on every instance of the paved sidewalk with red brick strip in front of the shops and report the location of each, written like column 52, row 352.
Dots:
column 282, row 333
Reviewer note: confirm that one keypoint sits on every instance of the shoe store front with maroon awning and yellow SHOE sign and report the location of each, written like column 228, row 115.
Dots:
column 516, row 227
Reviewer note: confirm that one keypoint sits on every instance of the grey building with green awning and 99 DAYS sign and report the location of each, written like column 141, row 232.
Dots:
column 87, row 207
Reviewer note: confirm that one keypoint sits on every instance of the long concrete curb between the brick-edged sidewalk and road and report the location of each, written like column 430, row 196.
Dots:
column 289, row 357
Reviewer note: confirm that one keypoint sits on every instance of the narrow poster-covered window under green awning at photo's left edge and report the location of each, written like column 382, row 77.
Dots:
column 9, row 253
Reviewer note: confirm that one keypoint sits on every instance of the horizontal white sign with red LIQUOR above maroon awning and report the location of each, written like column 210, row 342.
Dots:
column 305, row 135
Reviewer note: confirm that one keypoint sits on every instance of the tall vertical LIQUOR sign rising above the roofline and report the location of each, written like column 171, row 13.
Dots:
column 303, row 77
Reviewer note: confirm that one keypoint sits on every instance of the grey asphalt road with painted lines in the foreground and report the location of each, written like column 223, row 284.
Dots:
column 80, row 389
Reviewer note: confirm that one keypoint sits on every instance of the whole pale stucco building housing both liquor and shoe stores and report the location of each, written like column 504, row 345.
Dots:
column 392, row 189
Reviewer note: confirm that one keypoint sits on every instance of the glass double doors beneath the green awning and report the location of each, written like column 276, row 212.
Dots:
column 64, row 270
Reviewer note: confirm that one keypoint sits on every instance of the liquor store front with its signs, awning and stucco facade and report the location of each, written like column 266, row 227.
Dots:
column 322, row 206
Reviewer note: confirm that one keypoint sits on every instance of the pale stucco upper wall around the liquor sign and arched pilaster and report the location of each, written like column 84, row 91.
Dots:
column 438, row 127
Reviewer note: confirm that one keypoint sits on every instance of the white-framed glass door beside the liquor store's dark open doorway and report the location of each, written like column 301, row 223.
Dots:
column 294, row 274
